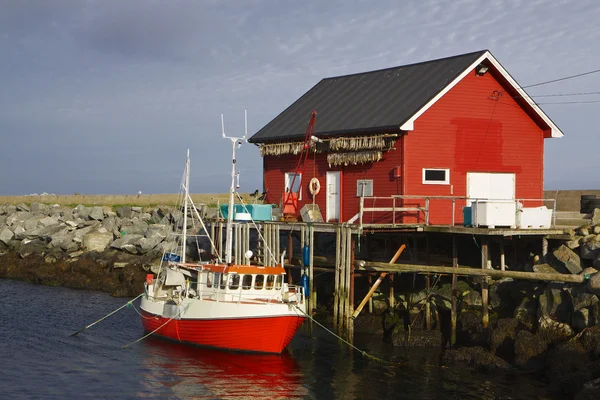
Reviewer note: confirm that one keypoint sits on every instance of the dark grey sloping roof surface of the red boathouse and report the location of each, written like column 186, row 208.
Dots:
column 371, row 101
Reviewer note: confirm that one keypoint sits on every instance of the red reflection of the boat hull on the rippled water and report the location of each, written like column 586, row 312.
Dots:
column 198, row 373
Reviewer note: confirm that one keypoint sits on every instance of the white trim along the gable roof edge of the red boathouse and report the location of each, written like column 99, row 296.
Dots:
column 554, row 131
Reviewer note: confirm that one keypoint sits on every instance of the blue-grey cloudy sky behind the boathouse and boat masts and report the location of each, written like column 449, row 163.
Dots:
column 105, row 96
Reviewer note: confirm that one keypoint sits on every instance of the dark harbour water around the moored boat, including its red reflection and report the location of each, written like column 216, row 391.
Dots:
column 41, row 361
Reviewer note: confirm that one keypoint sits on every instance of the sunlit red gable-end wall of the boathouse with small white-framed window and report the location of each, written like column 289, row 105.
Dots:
column 468, row 130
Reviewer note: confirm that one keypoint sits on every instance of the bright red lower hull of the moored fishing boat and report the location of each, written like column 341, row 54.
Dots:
column 264, row 335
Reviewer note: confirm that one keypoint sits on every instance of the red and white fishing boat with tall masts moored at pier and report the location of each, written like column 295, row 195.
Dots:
column 219, row 304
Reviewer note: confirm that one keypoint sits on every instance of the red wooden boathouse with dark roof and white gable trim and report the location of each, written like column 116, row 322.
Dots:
column 457, row 126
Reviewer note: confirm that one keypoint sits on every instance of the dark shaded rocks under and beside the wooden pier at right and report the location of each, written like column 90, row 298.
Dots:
column 549, row 328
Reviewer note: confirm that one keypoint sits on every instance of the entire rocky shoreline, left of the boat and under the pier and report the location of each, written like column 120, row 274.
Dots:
column 546, row 328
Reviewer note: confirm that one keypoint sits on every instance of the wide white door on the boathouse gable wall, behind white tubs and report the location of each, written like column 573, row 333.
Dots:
column 494, row 186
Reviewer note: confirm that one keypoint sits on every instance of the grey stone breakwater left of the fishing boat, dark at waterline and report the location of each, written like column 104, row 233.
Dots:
column 84, row 247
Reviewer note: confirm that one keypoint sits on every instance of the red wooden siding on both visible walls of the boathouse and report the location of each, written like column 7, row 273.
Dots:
column 464, row 131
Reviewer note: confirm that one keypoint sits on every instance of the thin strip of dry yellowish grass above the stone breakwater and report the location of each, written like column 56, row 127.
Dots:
column 112, row 200
